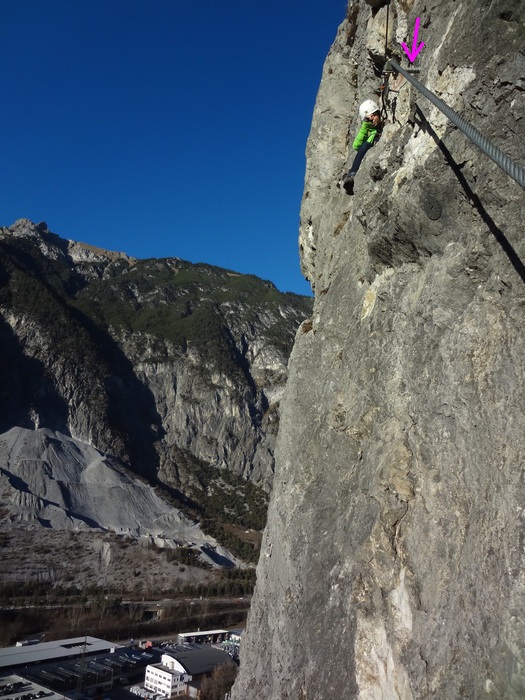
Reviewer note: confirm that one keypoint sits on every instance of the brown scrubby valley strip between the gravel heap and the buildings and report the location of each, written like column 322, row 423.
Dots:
column 64, row 584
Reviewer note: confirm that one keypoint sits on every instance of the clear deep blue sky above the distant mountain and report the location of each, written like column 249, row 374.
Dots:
column 164, row 127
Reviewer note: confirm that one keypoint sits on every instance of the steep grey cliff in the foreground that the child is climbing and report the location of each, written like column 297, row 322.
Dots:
column 393, row 564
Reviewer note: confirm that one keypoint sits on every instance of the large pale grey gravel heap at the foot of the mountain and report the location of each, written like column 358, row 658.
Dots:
column 49, row 479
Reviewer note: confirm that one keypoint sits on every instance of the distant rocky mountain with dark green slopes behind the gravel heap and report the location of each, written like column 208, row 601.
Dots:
column 172, row 370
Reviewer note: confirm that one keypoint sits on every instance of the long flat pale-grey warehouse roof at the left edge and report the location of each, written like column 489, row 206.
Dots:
column 13, row 657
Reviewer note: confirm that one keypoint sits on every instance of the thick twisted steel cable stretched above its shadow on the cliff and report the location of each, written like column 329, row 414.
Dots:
column 505, row 162
